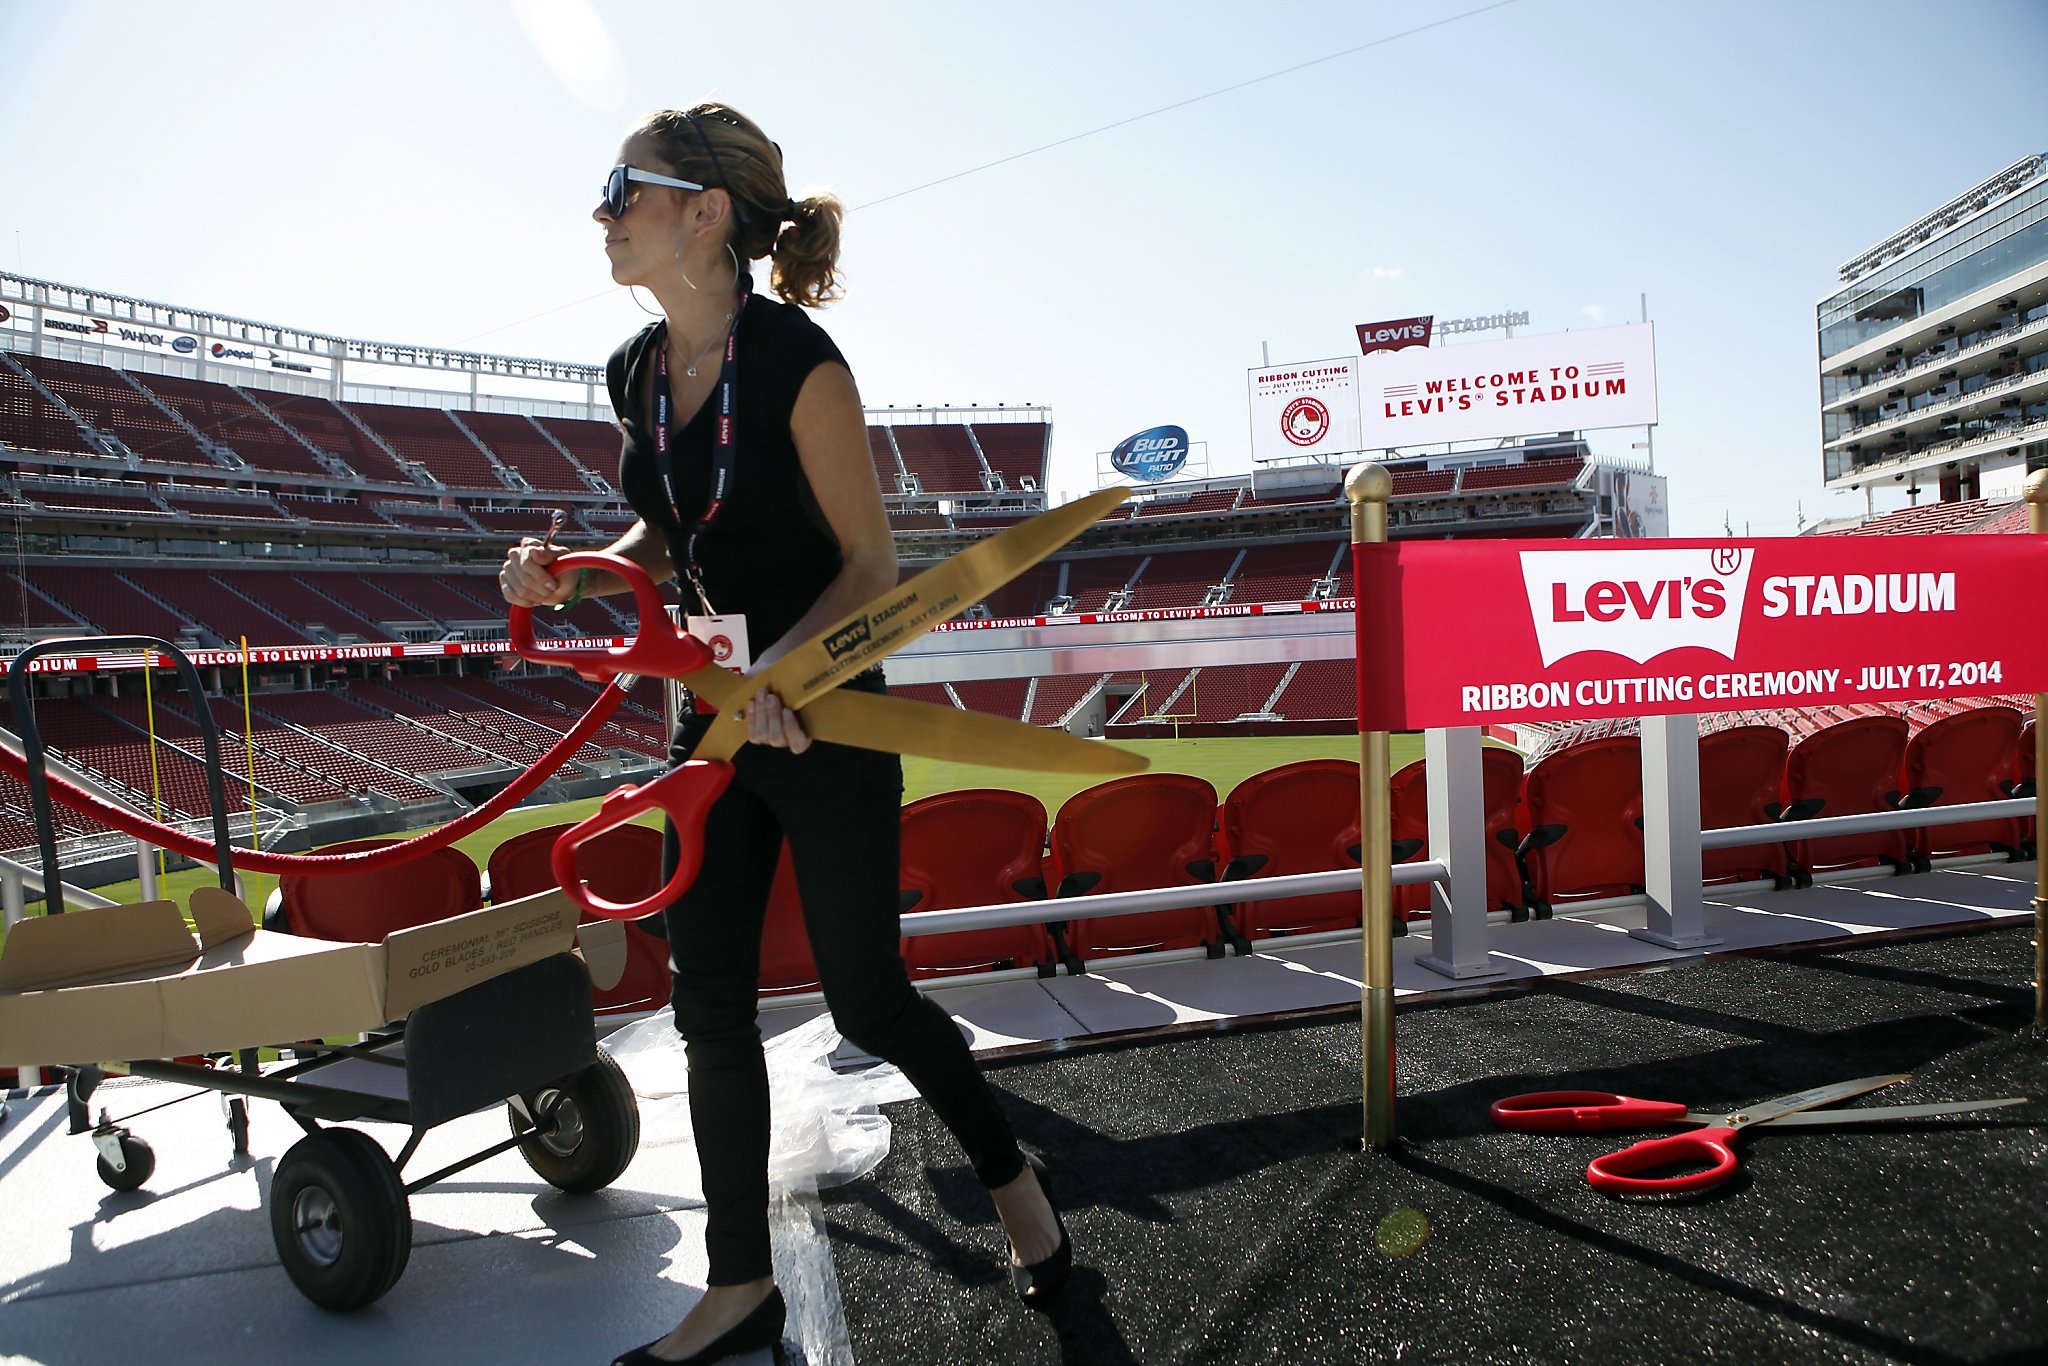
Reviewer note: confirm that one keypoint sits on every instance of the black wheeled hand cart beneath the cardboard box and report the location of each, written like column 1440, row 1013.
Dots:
column 339, row 1203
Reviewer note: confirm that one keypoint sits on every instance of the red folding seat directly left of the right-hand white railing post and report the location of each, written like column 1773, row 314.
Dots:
column 1586, row 822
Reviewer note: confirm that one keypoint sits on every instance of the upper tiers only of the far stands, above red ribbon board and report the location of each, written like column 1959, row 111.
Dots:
column 374, row 480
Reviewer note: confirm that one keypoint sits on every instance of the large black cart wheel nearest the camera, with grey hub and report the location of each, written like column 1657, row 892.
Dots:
column 341, row 1220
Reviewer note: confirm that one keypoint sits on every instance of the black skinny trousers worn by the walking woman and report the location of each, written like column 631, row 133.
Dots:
column 839, row 808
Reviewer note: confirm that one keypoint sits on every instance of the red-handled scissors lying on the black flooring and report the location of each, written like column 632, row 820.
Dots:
column 1709, row 1150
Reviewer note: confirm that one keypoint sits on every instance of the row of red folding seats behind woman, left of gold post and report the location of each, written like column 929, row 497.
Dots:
column 959, row 849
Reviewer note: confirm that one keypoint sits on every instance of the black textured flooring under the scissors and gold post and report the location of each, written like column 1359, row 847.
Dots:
column 1224, row 1213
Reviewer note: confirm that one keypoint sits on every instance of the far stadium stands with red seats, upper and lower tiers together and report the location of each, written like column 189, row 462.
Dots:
column 208, row 480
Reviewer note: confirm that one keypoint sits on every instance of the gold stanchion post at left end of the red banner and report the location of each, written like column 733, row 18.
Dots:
column 1369, row 486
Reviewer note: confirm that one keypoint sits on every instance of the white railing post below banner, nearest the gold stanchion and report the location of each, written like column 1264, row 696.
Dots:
column 1459, row 841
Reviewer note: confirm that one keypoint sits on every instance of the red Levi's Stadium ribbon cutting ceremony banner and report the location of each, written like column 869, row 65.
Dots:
column 1482, row 632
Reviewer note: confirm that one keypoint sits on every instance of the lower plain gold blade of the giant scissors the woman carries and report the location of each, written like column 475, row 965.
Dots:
column 937, row 732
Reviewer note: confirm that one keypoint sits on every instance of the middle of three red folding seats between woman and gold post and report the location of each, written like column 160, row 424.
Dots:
column 1127, row 835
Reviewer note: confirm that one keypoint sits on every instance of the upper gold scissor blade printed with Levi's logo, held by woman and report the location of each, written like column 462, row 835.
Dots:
column 902, row 615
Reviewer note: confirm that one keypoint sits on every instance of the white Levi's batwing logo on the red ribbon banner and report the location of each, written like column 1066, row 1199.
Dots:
column 1635, row 603
